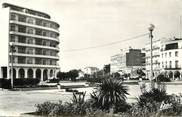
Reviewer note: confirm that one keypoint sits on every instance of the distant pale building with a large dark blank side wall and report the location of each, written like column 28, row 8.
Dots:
column 127, row 61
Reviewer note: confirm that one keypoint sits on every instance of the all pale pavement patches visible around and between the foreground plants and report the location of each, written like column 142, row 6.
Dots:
column 13, row 103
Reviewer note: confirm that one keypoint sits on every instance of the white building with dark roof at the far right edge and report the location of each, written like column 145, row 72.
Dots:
column 171, row 57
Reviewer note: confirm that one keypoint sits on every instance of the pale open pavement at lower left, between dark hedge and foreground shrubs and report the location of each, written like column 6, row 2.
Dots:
column 13, row 103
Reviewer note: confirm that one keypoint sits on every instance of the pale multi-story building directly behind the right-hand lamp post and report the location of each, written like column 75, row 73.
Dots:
column 155, row 58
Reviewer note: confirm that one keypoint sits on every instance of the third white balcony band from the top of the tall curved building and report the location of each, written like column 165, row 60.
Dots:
column 33, row 35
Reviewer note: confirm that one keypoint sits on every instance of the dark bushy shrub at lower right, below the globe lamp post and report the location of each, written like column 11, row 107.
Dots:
column 149, row 103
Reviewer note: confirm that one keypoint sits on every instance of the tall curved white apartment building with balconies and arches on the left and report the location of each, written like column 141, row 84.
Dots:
column 35, row 37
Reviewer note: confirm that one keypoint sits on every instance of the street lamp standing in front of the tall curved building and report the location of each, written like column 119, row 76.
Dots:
column 12, row 49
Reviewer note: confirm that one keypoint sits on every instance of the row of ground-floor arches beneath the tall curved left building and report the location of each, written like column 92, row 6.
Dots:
column 18, row 72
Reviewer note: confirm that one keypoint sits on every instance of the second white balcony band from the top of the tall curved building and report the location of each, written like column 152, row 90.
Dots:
column 33, row 25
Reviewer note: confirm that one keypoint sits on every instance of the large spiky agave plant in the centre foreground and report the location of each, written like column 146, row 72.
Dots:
column 109, row 94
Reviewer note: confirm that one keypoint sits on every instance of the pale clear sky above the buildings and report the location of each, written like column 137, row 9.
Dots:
column 89, row 23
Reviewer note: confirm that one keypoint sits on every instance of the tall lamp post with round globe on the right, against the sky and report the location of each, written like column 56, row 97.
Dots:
column 151, row 28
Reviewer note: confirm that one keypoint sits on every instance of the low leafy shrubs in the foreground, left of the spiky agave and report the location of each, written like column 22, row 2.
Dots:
column 76, row 107
